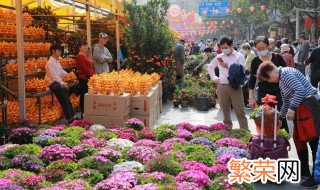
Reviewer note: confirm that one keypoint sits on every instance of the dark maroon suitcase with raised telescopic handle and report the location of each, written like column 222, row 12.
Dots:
column 268, row 147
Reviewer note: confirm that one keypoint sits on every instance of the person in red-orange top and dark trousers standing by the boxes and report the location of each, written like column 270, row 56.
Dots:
column 85, row 70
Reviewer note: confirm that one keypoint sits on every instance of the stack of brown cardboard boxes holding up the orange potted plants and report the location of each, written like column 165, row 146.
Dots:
column 109, row 110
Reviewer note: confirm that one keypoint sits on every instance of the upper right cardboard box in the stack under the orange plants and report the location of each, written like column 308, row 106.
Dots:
column 143, row 105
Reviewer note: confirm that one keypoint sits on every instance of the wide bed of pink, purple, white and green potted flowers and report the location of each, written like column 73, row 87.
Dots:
column 182, row 157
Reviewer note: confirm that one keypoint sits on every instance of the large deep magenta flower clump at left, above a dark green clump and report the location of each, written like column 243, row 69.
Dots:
column 57, row 152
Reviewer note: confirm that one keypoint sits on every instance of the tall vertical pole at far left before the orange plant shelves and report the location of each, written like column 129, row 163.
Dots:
column 20, row 61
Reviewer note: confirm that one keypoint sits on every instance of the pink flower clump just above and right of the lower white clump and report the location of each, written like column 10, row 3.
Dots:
column 142, row 154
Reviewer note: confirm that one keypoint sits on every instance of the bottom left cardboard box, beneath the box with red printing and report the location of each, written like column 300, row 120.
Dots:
column 106, row 120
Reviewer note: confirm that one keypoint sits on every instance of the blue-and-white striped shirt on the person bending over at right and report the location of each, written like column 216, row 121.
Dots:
column 294, row 88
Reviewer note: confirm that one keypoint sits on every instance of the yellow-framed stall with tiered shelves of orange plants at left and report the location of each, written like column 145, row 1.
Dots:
column 24, row 48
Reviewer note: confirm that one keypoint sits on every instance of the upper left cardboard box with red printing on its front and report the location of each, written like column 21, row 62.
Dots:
column 105, row 105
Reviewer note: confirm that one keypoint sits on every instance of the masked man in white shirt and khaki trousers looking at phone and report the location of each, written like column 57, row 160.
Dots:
column 226, row 94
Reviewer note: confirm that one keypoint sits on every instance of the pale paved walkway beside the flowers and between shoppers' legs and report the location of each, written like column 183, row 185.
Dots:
column 176, row 115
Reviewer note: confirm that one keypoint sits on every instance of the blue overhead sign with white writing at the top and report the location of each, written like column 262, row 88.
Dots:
column 215, row 8
